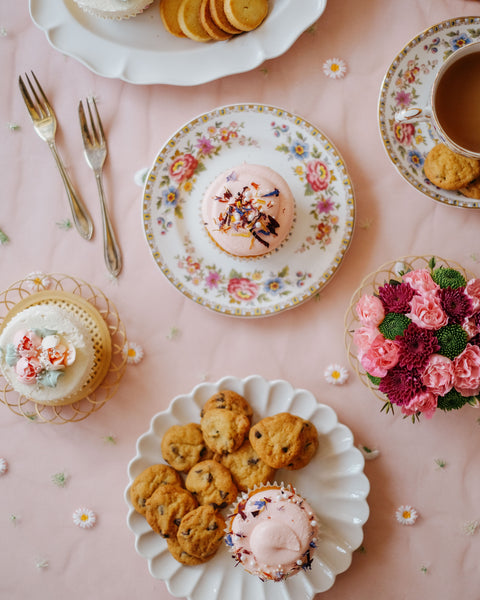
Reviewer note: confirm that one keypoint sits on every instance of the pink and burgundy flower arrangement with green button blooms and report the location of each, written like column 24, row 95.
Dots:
column 419, row 339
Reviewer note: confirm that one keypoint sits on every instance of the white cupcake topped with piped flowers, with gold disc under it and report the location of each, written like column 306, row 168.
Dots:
column 56, row 351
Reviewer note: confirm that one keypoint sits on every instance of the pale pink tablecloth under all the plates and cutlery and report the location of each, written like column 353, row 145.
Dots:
column 430, row 465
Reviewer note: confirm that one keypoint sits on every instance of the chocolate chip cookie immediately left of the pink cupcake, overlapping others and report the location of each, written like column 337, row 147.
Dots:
column 201, row 531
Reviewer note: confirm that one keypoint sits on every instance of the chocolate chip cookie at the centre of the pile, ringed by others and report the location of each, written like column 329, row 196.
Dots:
column 211, row 483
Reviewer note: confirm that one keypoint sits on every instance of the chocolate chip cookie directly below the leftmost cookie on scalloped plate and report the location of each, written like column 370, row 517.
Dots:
column 166, row 507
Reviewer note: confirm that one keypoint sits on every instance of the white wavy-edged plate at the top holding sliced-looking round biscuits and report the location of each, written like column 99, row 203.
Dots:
column 140, row 50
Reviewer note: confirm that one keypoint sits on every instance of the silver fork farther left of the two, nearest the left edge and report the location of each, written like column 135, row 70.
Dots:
column 45, row 124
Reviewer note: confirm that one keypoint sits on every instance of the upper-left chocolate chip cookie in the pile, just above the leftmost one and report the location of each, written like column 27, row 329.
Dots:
column 183, row 446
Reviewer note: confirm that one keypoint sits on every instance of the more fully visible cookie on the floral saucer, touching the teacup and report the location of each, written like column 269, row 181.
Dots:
column 448, row 170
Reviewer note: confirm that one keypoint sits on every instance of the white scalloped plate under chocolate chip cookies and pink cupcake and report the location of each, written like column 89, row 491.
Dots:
column 333, row 483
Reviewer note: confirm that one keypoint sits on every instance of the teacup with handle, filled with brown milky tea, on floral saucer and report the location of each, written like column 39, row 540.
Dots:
column 454, row 103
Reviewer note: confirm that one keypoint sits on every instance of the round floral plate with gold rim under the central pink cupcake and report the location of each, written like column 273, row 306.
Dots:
column 214, row 142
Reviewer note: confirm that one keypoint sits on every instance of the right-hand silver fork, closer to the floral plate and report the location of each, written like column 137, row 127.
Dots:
column 95, row 153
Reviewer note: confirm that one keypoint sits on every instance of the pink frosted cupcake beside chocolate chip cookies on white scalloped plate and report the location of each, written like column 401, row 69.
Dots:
column 272, row 532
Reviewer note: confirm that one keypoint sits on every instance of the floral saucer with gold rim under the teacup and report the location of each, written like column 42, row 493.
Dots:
column 408, row 82
